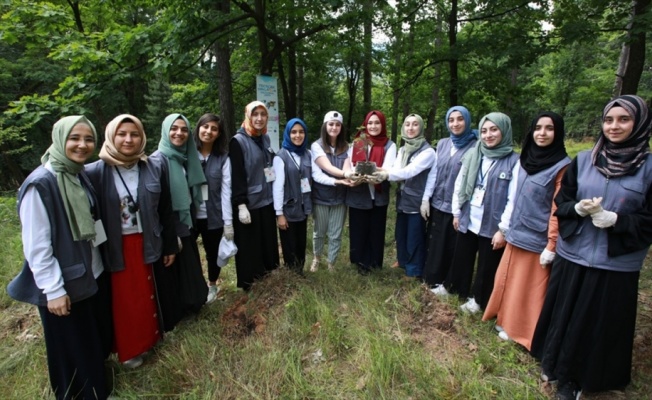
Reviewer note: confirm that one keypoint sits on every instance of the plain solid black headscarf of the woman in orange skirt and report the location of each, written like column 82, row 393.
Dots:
column 534, row 158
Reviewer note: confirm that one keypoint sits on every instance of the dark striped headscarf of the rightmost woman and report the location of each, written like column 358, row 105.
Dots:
column 619, row 159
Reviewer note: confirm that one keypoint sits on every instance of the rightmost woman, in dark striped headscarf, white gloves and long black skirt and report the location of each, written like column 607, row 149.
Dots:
column 585, row 333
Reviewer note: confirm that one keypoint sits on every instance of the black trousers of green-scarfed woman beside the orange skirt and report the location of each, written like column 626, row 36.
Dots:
column 467, row 247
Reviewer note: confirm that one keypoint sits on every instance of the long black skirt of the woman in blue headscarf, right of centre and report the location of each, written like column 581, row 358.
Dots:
column 441, row 238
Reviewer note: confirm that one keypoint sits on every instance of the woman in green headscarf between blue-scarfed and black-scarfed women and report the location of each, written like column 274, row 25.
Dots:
column 483, row 187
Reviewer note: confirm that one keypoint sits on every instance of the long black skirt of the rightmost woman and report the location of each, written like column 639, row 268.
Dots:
column 585, row 332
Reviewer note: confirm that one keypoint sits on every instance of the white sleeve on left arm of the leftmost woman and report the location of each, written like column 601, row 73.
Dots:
column 37, row 245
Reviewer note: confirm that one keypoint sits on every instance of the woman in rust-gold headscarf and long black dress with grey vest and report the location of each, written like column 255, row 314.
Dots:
column 252, row 177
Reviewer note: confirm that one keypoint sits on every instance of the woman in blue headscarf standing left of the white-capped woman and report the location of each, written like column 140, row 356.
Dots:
column 292, row 193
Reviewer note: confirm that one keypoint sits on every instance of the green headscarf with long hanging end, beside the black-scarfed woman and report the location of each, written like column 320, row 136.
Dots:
column 473, row 157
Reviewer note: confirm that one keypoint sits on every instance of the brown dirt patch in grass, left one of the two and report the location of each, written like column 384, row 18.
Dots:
column 250, row 311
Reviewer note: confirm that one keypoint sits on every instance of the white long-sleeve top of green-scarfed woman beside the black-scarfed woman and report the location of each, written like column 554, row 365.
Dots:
column 475, row 221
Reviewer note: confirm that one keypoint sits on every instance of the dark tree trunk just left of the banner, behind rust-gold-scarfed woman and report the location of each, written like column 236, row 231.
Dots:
column 223, row 71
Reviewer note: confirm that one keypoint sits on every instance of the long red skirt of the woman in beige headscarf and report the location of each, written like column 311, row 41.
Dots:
column 135, row 319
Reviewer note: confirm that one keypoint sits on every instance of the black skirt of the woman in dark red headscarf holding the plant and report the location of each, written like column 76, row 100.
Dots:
column 367, row 236
